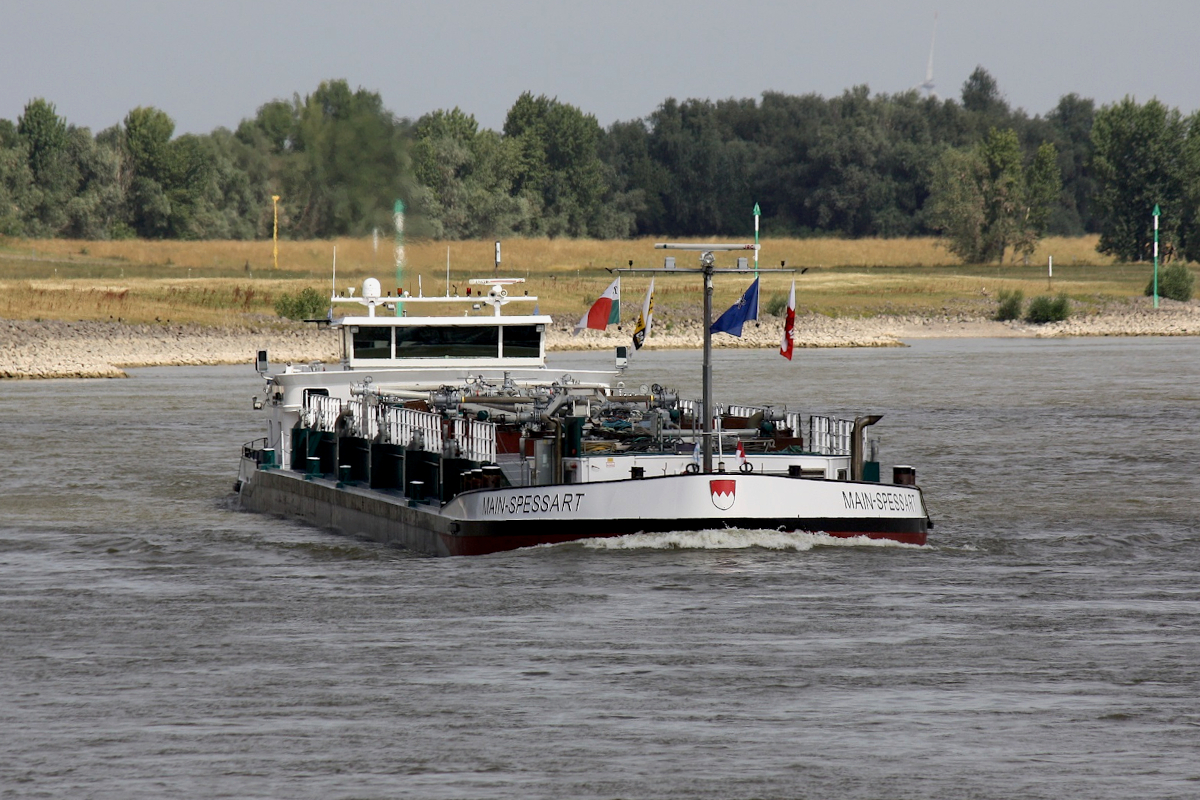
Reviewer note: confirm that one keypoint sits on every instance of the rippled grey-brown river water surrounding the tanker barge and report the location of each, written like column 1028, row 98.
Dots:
column 155, row 642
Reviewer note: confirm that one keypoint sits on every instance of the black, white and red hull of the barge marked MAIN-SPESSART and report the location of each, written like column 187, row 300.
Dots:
column 489, row 521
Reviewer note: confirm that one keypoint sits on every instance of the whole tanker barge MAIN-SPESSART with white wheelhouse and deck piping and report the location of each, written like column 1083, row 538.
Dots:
column 449, row 435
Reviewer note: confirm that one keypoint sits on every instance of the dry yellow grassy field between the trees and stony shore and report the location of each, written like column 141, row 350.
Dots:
column 223, row 282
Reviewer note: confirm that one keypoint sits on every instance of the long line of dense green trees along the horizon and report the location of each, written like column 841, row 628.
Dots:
column 989, row 178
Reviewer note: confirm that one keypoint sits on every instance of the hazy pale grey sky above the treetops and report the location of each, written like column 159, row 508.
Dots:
column 213, row 63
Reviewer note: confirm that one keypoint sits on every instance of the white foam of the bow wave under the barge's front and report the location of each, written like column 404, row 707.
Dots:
column 730, row 539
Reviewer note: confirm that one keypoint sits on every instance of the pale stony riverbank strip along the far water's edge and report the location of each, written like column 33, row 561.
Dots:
column 94, row 350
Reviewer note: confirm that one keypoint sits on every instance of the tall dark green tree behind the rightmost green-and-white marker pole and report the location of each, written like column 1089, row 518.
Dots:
column 1141, row 163
